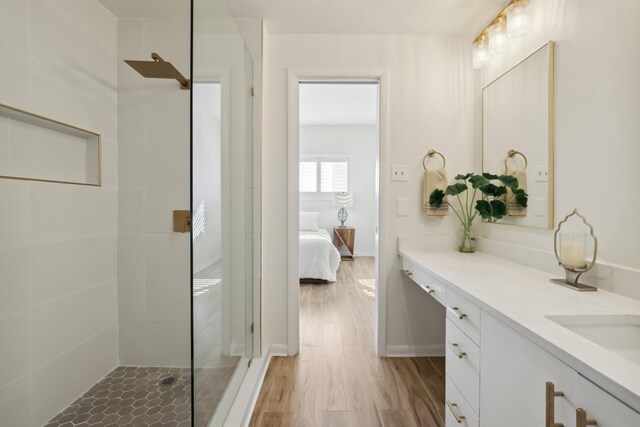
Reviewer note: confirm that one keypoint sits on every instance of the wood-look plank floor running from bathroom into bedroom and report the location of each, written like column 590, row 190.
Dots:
column 337, row 380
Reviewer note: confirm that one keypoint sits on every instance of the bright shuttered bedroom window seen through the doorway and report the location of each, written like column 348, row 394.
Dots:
column 324, row 175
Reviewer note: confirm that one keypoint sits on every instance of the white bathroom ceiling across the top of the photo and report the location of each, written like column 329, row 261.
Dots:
column 464, row 17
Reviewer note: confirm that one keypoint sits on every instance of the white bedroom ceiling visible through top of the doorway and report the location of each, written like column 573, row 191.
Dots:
column 338, row 104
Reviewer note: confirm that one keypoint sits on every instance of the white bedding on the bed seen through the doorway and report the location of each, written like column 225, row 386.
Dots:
column 318, row 258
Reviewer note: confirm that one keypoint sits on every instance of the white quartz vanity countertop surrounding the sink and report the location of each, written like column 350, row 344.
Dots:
column 521, row 297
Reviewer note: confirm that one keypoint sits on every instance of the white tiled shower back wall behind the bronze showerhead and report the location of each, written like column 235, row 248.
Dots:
column 153, row 173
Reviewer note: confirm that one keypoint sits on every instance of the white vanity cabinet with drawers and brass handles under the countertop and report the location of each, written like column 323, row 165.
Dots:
column 497, row 377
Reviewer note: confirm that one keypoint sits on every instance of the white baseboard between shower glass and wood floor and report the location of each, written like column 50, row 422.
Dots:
column 247, row 397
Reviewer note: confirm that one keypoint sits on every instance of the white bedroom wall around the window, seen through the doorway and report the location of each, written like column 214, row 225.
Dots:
column 360, row 143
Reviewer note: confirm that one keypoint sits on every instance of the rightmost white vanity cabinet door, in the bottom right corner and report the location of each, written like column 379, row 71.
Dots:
column 602, row 407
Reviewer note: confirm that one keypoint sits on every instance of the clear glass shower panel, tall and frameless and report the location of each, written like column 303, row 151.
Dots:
column 222, row 212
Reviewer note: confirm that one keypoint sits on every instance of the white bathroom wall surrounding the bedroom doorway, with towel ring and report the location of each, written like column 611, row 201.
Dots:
column 431, row 106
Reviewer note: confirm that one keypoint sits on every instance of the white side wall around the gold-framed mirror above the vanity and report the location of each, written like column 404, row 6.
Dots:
column 597, row 63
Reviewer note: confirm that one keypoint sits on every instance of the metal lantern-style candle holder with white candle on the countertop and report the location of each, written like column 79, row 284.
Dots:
column 573, row 254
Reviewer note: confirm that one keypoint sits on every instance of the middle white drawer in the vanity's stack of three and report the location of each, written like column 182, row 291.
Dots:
column 463, row 364
